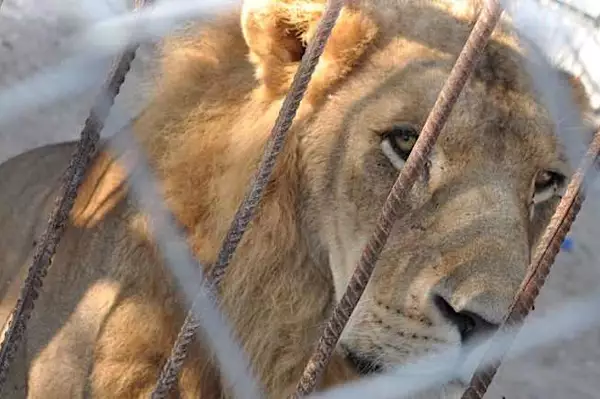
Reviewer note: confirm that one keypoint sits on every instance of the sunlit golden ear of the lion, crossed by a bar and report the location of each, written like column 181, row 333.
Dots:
column 278, row 31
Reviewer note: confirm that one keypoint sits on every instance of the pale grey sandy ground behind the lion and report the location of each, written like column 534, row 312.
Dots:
column 34, row 35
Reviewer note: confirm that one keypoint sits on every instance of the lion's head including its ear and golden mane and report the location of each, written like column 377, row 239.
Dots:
column 466, row 232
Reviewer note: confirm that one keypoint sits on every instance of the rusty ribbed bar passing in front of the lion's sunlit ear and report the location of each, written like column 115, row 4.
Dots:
column 246, row 210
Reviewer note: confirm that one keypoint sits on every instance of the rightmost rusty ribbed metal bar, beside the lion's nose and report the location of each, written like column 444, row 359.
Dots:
column 537, row 272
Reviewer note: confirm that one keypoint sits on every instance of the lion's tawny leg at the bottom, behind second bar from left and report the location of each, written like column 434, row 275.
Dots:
column 132, row 348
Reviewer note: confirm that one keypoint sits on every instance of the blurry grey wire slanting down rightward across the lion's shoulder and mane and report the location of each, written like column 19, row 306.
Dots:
column 170, row 241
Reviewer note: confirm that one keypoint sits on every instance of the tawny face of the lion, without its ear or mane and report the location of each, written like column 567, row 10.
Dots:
column 463, row 238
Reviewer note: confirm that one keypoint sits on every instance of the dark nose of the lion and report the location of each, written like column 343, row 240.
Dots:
column 470, row 325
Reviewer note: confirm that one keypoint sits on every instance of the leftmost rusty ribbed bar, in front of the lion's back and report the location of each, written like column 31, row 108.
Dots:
column 59, row 215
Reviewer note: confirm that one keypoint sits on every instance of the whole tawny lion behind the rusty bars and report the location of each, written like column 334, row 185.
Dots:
column 110, row 309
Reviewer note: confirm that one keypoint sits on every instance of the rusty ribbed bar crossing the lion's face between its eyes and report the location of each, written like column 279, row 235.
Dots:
column 461, row 71
